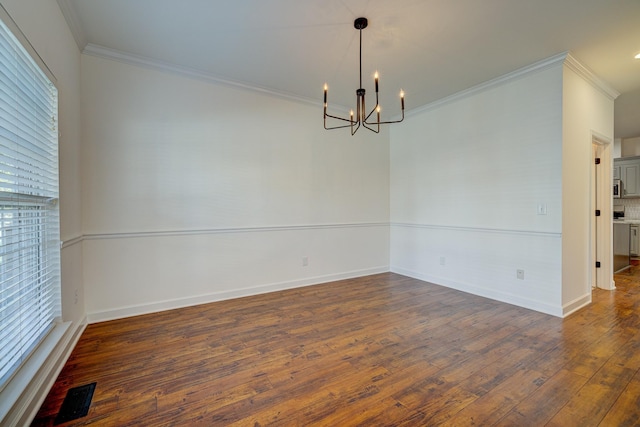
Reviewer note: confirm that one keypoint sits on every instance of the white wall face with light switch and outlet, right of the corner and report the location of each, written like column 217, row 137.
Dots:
column 467, row 177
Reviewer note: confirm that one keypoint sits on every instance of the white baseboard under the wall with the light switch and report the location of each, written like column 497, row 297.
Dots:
column 483, row 292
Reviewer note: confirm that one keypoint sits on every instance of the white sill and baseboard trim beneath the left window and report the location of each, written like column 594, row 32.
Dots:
column 25, row 393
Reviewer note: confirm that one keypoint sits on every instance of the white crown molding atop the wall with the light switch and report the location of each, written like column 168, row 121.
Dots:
column 489, row 84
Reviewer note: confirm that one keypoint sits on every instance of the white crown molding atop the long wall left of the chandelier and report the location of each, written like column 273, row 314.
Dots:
column 141, row 61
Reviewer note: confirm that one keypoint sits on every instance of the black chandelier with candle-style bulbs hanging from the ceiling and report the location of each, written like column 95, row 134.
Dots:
column 361, row 116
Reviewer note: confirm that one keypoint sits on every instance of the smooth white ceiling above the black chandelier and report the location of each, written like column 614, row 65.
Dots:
column 429, row 48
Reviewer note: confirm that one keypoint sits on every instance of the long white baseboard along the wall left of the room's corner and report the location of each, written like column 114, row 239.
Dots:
column 134, row 310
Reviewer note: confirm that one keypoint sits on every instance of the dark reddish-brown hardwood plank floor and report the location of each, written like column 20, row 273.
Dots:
column 378, row 350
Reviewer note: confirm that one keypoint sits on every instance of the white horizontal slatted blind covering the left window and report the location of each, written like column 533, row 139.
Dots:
column 29, row 219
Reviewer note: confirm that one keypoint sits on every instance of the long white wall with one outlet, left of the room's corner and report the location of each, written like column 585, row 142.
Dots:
column 195, row 192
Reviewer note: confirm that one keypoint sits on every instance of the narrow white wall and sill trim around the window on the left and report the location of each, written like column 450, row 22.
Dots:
column 44, row 26
